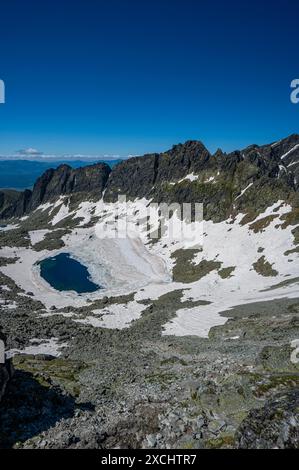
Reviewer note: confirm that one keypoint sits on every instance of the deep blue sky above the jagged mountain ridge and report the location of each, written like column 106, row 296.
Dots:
column 129, row 77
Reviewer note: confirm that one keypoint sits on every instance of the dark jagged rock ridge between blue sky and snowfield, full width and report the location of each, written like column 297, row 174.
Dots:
column 220, row 179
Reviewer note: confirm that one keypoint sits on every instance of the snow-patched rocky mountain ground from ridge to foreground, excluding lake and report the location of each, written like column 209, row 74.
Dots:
column 189, row 343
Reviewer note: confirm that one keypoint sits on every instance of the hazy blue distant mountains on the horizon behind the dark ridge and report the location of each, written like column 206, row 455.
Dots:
column 22, row 174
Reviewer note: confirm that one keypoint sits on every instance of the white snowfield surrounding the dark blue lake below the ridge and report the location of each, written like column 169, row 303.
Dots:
column 133, row 264
